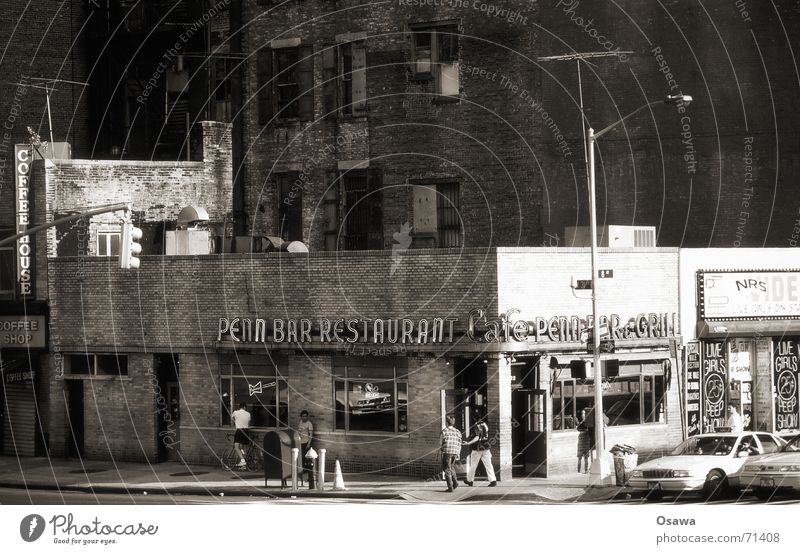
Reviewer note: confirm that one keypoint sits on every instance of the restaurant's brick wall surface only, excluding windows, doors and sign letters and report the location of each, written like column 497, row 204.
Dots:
column 99, row 309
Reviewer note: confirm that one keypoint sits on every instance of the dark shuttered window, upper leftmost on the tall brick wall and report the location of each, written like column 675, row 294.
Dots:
column 285, row 84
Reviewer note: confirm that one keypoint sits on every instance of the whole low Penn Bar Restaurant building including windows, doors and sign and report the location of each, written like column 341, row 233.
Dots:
column 375, row 346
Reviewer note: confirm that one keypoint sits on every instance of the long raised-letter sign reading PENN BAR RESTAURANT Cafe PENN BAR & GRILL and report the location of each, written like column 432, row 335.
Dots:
column 478, row 327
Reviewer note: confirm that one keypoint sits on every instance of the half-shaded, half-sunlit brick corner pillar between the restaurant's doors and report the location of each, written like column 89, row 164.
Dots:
column 498, row 380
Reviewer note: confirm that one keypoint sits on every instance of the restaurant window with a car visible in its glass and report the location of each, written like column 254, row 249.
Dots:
column 370, row 395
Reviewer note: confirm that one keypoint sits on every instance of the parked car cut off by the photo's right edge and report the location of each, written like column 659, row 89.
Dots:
column 772, row 472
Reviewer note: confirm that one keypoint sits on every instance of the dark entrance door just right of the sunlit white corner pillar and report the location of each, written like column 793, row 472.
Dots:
column 529, row 433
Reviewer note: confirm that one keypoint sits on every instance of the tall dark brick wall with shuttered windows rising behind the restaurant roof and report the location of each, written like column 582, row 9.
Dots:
column 484, row 142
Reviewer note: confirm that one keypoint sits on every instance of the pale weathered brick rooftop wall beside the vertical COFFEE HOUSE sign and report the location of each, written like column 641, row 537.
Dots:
column 156, row 190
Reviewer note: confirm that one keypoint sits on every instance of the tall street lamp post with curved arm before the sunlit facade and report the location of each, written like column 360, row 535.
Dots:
column 600, row 467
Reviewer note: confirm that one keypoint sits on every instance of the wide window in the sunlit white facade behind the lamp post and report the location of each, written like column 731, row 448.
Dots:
column 636, row 396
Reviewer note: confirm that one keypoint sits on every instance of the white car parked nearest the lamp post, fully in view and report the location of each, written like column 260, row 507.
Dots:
column 708, row 464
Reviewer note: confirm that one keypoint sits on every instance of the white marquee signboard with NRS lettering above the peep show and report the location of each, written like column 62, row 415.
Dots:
column 749, row 295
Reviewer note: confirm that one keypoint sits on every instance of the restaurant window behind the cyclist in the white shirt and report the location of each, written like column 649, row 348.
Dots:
column 261, row 388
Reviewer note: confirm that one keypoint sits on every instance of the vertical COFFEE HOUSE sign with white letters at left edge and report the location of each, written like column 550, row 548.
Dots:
column 23, row 205
